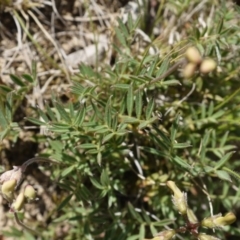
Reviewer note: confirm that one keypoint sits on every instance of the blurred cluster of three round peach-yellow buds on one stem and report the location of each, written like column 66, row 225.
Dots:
column 196, row 62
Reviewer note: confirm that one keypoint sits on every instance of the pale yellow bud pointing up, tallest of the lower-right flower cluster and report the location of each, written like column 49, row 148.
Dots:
column 179, row 198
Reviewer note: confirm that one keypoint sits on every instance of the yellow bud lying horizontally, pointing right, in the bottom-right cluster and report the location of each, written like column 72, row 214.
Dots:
column 219, row 220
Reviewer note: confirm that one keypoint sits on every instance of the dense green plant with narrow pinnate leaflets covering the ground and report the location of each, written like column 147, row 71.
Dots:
column 127, row 128
